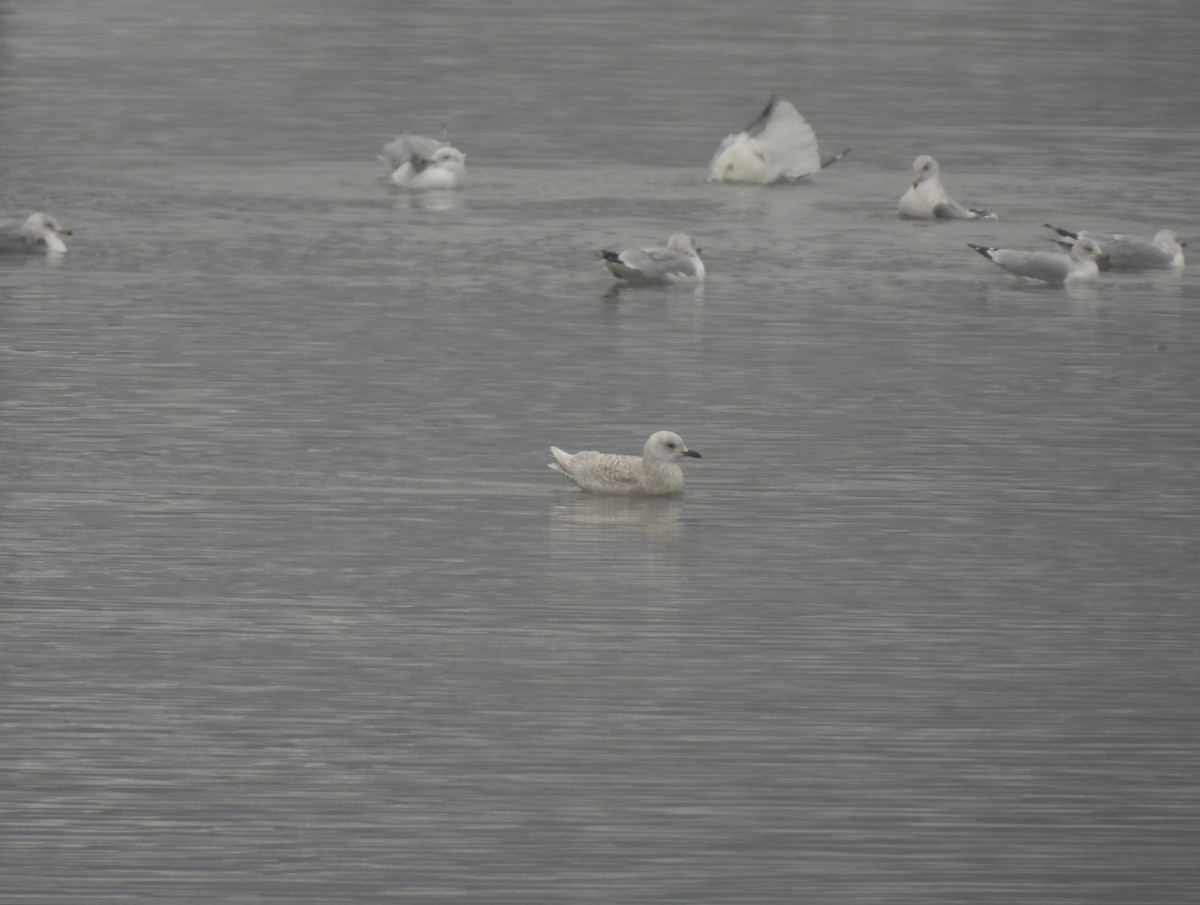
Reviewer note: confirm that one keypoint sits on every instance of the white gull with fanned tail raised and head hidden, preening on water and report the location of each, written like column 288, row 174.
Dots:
column 779, row 146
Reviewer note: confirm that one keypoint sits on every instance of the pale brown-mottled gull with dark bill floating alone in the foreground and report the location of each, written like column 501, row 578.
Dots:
column 655, row 474
